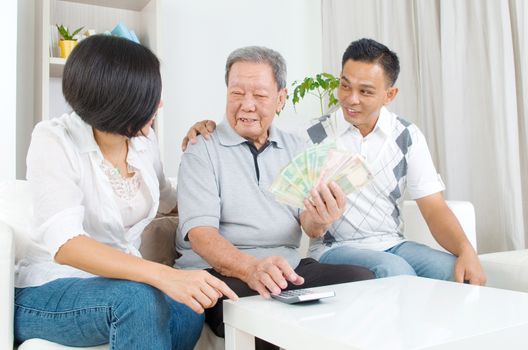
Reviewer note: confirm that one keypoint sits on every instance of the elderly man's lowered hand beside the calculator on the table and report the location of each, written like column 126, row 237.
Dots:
column 271, row 274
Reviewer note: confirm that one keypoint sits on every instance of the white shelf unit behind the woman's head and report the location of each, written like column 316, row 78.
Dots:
column 142, row 16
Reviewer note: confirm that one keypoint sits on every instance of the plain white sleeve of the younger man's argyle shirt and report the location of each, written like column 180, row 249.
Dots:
column 422, row 178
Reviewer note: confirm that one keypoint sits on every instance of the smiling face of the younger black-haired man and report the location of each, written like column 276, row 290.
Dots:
column 362, row 91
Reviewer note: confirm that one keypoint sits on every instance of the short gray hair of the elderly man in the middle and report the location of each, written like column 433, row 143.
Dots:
column 259, row 54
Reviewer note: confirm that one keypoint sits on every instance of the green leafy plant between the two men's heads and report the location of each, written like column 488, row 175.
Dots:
column 322, row 86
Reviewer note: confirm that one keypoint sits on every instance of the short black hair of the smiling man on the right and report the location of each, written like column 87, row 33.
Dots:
column 368, row 50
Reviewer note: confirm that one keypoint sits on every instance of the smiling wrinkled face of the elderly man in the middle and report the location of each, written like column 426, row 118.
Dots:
column 253, row 99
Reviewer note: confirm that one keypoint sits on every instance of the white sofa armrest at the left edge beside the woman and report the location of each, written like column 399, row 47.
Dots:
column 7, row 263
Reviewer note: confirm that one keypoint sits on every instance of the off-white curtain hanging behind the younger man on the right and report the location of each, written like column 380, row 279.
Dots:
column 464, row 82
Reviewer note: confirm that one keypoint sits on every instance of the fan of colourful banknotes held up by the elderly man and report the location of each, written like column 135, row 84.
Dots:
column 321, row 163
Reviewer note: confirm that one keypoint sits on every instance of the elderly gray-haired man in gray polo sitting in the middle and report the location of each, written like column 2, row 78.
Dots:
column 228, row 217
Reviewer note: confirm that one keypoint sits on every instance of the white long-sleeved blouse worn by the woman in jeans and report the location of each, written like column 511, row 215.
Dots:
column 73, row 196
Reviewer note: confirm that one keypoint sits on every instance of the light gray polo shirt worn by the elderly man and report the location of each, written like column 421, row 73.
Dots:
column 218, row 187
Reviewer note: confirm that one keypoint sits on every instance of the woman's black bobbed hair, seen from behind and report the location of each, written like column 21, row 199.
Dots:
column 113, row 84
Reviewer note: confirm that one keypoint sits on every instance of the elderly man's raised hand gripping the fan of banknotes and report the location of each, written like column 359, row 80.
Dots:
column 327, row 204
